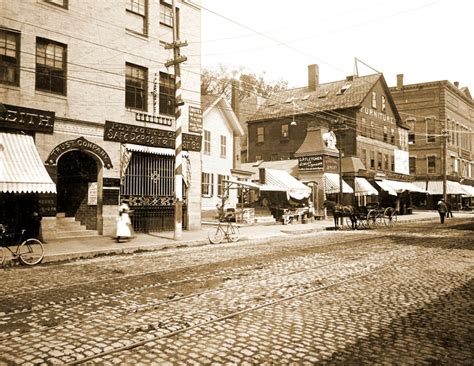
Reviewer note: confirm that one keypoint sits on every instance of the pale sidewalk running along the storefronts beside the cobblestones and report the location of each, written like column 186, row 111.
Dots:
column 67, row 249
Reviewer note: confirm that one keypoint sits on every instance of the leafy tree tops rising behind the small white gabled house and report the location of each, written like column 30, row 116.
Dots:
column 219, row 81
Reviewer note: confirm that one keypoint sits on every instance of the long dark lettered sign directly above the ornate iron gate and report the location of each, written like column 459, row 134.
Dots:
column 120, row 132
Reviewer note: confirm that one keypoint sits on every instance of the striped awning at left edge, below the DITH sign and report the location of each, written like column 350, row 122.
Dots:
column 21, row 168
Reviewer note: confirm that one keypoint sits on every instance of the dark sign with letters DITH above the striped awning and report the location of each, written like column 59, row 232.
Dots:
column 27, row 119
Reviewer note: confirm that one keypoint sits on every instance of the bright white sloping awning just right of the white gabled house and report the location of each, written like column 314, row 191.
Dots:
column 280, row 180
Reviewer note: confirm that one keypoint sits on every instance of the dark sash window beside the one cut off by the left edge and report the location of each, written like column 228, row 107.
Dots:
column 50, row 66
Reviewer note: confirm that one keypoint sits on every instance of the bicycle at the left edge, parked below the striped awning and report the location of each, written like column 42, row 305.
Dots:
column 29, row 251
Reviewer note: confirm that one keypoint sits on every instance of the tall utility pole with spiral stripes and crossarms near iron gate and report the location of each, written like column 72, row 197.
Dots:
column 178, row 157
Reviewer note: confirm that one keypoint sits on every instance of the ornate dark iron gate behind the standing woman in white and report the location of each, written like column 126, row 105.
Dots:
column 148, row 188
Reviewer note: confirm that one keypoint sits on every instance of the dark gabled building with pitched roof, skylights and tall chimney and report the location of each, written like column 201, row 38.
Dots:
column 296, row 123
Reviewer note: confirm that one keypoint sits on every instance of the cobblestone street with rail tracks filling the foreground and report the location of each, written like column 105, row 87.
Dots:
column 402, row 296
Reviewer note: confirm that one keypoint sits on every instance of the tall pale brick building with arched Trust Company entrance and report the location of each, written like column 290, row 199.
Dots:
column 86, row 80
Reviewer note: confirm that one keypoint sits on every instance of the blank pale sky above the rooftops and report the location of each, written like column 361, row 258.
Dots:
column 426, row 40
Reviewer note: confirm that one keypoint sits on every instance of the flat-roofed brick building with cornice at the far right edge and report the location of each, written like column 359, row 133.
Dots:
column 438, row 112
